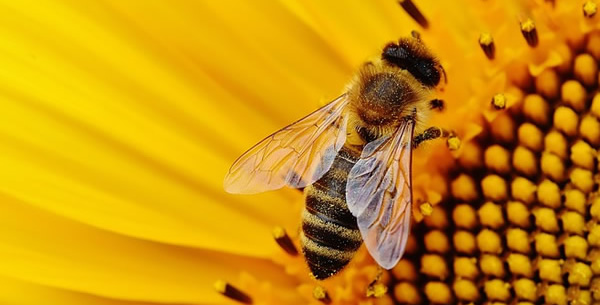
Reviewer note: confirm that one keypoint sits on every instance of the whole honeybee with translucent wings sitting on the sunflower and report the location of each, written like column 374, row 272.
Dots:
column 352, row 158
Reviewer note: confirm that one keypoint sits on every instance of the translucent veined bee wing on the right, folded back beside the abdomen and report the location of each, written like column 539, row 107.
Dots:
column 379, row 195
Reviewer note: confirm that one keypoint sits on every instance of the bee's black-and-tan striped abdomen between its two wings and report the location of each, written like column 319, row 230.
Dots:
column 330, row 236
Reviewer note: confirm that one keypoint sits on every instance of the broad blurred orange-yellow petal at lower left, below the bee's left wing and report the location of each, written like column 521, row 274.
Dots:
column 41, row 248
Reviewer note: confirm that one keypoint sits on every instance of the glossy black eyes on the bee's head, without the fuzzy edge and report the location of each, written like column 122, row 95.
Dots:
column 423, row 68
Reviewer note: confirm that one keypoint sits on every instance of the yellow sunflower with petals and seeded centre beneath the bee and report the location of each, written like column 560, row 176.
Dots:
column 120, row 118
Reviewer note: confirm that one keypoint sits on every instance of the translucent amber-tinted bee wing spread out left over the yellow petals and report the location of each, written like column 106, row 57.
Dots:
column 296, row 155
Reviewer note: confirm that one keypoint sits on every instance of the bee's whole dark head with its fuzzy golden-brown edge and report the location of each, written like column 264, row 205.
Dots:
column 411, row 54
